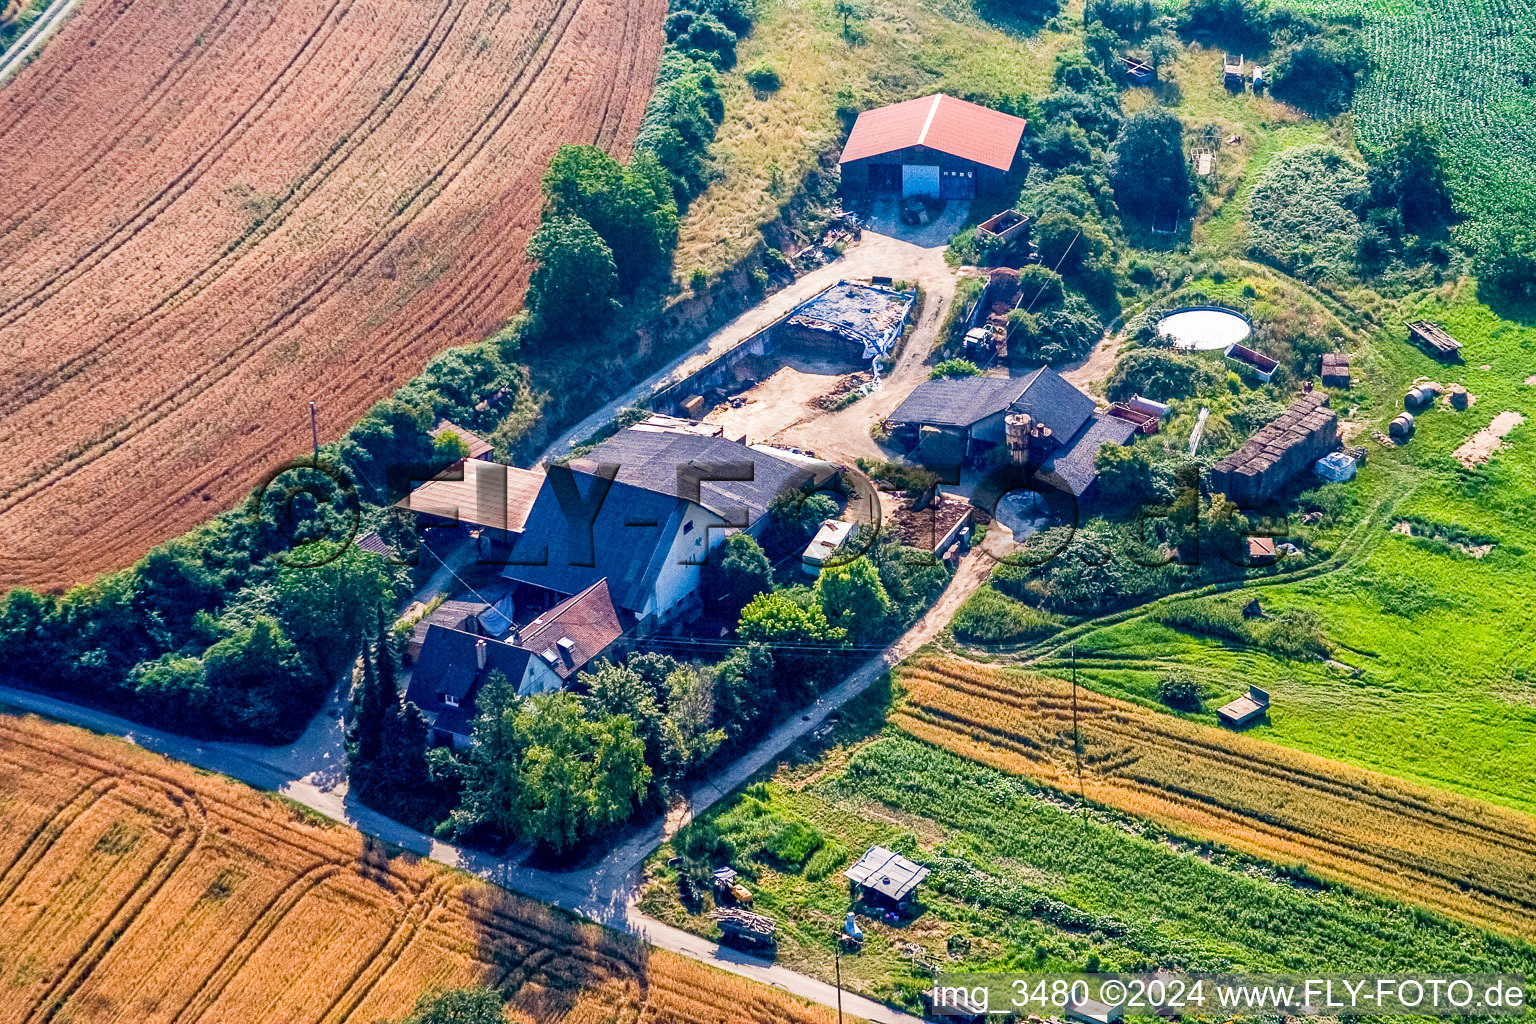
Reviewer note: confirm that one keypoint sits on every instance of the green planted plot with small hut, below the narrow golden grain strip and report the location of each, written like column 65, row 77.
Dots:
column 1025, row 880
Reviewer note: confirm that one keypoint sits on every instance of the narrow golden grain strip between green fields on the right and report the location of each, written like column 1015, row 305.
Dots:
column 1466, row 859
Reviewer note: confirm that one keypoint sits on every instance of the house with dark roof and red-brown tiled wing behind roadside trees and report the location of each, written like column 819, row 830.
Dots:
column 545, row 655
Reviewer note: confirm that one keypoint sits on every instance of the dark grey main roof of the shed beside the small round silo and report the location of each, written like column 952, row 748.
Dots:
column 967, row 401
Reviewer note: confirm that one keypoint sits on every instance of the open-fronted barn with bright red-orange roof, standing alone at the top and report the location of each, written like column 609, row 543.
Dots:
column 936, row 147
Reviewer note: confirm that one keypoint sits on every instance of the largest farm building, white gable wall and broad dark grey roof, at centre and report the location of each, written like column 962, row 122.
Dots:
column 644, row 510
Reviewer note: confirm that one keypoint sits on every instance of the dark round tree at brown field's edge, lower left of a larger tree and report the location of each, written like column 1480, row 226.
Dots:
column 575, row 279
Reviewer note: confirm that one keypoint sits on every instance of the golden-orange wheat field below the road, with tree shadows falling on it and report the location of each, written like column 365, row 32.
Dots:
column 136, row 890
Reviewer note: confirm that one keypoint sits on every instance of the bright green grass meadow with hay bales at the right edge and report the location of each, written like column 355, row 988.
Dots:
column 1440, row 638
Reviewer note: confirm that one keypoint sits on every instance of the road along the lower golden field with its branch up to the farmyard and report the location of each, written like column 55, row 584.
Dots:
column 311, row 773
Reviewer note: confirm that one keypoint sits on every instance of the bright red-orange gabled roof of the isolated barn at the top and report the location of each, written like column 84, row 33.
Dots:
column 944, row 124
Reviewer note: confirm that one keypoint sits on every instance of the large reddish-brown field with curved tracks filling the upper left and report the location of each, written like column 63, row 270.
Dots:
column 216, row 211
